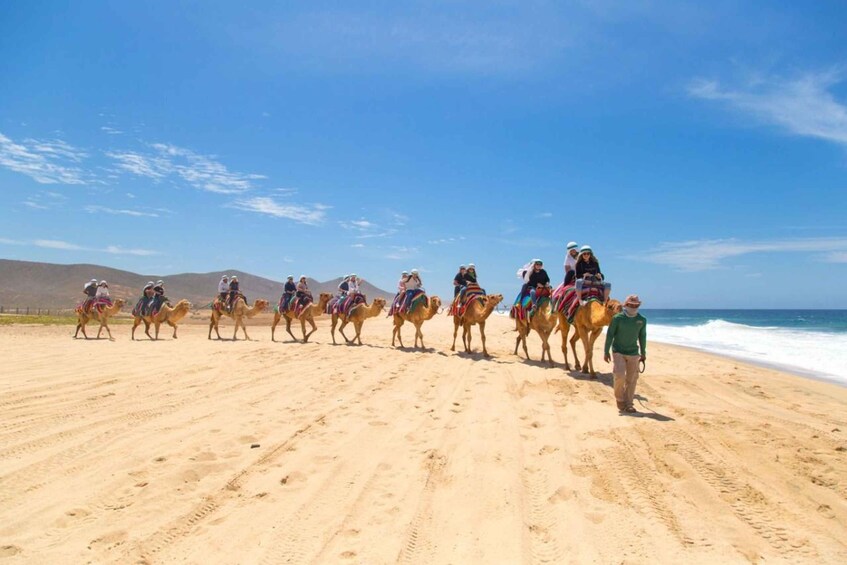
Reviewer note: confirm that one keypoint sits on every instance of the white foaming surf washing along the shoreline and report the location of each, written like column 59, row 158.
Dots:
column 821, row 354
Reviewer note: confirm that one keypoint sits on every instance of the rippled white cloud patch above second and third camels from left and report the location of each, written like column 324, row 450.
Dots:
column 203, row 172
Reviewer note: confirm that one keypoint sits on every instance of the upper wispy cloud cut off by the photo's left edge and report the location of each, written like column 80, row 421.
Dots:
column 47, row 162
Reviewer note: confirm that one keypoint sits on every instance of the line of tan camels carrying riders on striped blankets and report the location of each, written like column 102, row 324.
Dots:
column 581, row 301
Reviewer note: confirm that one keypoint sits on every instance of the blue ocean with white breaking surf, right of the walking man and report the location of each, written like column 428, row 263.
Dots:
column 807, row 342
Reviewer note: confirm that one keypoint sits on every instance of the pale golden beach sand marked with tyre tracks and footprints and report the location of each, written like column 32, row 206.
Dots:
column 203, row 451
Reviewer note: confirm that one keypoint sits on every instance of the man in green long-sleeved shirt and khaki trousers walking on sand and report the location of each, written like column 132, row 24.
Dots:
column 627, row 333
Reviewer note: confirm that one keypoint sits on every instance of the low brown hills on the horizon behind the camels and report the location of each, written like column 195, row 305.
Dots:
column 49, row 285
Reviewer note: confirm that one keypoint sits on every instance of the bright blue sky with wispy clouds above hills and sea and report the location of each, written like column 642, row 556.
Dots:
column 700, row 148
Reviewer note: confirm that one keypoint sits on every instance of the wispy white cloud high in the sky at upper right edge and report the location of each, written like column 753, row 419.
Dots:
column 802, row 106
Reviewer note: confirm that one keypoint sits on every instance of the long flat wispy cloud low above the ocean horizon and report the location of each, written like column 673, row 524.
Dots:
column 709, row 254
